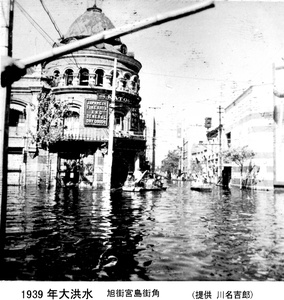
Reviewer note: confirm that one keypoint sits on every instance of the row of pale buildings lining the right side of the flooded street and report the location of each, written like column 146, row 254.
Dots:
column 253, row 121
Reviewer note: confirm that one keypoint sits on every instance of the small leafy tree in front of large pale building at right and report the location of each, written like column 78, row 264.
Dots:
column 239, row 156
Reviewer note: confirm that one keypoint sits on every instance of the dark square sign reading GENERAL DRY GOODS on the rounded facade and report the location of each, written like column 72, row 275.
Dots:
column 96, row 112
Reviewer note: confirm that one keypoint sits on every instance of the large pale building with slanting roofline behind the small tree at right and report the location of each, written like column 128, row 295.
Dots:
column 249, row 122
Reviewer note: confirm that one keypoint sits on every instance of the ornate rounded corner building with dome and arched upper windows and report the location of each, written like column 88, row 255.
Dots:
column 81, row 84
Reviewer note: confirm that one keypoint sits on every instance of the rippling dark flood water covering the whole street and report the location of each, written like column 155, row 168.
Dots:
column 178, row 234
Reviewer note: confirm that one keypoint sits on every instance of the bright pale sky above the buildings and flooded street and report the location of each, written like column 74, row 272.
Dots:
column 189, row 66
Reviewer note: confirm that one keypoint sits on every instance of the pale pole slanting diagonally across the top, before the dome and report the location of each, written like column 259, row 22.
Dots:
column 117, row 32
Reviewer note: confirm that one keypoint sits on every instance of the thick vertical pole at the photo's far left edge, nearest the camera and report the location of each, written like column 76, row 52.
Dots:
column 6, row 50
